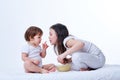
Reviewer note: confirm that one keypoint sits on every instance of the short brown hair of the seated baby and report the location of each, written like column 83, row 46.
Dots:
column 31, row 32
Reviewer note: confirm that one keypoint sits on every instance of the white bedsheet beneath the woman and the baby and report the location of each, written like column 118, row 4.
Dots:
column 108, row 72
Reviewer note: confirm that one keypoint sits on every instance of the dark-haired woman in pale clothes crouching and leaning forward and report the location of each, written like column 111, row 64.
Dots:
column 84, row 55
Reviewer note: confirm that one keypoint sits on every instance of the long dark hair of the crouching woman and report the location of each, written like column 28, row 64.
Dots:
column 61, row 32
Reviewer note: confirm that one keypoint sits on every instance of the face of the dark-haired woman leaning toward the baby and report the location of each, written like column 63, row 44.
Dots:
column 52, row 36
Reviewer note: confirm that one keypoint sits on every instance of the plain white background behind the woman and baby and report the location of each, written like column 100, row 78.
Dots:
column 97, row 21
